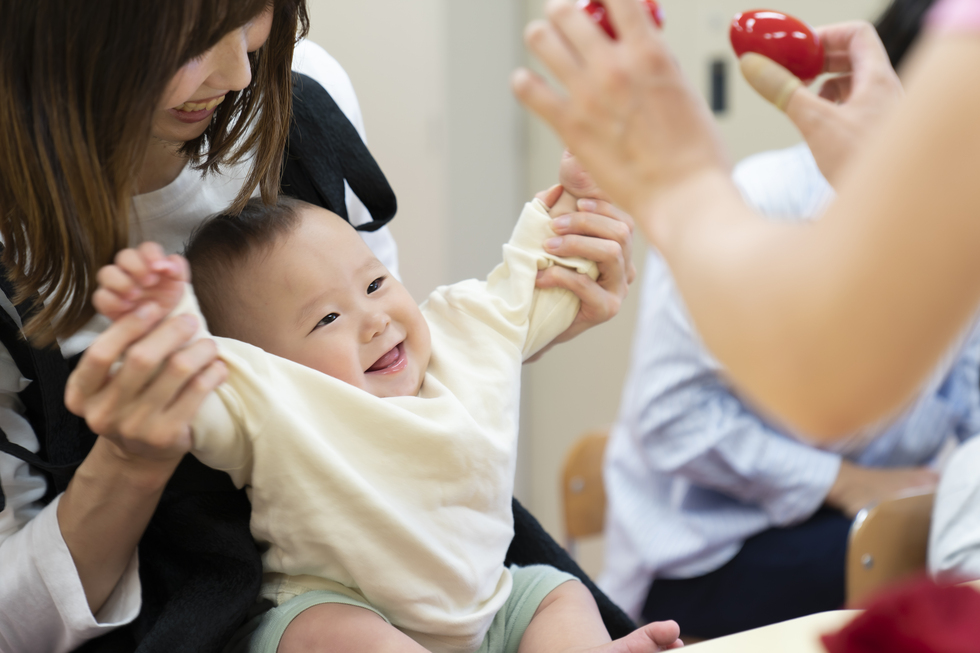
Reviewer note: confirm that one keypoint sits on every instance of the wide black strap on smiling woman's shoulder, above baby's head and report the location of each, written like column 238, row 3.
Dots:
column 323, row 150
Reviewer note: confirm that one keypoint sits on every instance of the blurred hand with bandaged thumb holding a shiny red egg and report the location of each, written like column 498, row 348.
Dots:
column 848, row 107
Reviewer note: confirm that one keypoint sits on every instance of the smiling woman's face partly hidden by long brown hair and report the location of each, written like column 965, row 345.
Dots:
column 202, row 83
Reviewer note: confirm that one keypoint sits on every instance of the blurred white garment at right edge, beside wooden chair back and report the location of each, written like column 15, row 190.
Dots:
column 954, row 540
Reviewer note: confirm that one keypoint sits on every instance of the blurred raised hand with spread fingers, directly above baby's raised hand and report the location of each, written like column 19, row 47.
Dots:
column 629, row 116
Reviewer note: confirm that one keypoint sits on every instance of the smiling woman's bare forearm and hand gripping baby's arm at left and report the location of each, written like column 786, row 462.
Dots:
column 141, row 411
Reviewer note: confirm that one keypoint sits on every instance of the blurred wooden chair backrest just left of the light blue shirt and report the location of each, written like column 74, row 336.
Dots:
column 583, row 495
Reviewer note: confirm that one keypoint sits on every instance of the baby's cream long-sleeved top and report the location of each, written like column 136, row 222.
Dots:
column 405, row 501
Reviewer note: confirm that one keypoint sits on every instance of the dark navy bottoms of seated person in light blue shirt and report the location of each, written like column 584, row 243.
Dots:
column 779, row 574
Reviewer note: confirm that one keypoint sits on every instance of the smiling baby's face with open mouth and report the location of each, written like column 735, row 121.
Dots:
column 320, row 298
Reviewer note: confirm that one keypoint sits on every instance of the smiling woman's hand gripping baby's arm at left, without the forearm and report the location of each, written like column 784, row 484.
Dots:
column 145, row 407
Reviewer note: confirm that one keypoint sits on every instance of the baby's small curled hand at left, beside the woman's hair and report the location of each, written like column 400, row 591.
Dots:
column 140, row 276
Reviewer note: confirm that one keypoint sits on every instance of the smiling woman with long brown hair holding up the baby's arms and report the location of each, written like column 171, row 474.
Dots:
column 122, row 121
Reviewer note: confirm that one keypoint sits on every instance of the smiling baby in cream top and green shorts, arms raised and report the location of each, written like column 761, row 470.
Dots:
column 377, row 438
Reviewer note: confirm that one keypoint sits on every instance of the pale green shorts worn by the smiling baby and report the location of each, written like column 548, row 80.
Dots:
column 531, row 585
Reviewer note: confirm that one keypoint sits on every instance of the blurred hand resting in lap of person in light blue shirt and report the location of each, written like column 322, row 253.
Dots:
column 858, row 487
